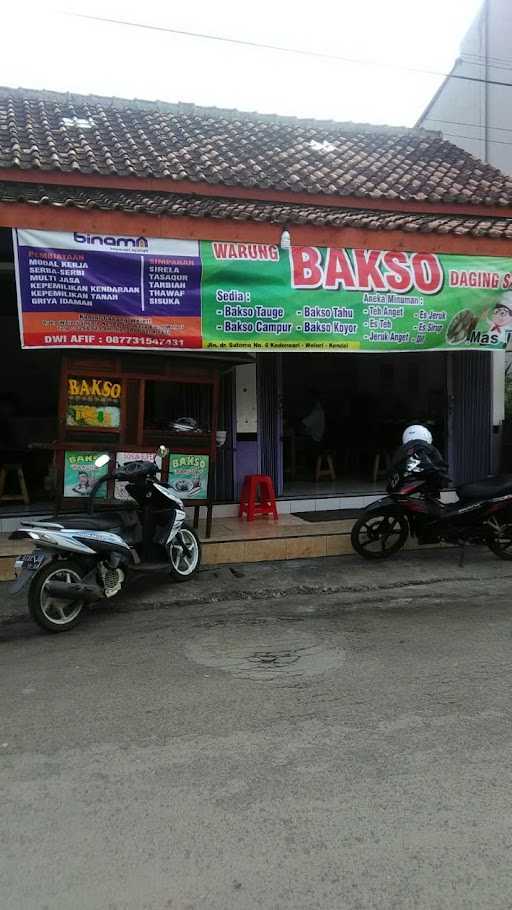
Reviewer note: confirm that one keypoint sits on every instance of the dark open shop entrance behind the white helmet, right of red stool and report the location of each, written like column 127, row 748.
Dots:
column 368, row 400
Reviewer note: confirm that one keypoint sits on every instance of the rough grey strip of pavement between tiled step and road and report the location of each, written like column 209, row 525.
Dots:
column 360, row 583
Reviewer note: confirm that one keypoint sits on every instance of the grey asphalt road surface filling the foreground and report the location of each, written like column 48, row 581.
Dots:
column 294, row 754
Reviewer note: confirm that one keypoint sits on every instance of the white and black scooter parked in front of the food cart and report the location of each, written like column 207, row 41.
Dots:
column 88, row 558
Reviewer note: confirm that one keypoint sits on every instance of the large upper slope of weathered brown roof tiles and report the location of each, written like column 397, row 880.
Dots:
column 51, row 131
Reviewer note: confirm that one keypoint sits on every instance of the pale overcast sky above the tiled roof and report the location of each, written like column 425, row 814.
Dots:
column 46, row 45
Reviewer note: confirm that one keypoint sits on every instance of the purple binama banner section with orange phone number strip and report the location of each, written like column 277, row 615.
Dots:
column 102, row 291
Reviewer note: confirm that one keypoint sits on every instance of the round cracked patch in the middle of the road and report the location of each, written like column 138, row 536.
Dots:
column 274, row 652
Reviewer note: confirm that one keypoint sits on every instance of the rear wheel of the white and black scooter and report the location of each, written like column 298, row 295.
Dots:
column 54, row 614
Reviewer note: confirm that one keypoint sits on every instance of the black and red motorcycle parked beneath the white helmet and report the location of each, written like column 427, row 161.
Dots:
column 413, row 506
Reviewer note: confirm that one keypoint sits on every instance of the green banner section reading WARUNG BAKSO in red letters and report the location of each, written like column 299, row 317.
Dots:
column 258, row 297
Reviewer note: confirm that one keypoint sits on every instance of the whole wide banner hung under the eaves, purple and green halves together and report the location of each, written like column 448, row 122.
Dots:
column 138, row 293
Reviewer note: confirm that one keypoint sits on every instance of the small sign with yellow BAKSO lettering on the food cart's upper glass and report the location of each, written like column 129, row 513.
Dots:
column 94, row 403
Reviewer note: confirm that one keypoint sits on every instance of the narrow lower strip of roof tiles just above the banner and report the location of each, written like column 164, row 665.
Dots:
column 244, row 210
